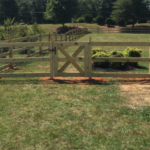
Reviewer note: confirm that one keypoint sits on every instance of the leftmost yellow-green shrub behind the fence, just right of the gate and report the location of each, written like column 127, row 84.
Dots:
column 101, row 54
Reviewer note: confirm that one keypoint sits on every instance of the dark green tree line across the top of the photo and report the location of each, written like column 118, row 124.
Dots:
column 63, row 11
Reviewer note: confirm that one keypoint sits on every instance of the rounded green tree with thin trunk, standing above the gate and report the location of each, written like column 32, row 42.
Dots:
column 61, row 10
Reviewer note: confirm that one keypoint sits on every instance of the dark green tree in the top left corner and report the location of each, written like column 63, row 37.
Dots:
column 8, row 9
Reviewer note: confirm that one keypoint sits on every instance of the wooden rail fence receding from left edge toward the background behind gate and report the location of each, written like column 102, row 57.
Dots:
column 75, row 33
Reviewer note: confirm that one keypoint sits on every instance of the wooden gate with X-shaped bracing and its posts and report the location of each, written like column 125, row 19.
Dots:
column 73, row 59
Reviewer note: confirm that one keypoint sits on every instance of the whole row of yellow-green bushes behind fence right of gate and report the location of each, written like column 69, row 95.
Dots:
column 129, row 52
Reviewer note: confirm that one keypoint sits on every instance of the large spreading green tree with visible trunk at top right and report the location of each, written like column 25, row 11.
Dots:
column 130, row 9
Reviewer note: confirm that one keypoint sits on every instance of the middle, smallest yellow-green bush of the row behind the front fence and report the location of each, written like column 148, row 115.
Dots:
column 116, row 54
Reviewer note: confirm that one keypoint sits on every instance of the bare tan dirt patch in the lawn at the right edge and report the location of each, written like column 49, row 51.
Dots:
column 137, row 92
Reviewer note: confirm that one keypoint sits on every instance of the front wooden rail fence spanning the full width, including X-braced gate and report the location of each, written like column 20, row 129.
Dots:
column 87, row 59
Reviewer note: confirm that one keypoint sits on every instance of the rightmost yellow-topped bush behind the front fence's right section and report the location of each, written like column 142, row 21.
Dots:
column 132, row 52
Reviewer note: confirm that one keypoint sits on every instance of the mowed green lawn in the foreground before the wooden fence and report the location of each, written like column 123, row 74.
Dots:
column 61, row 116
